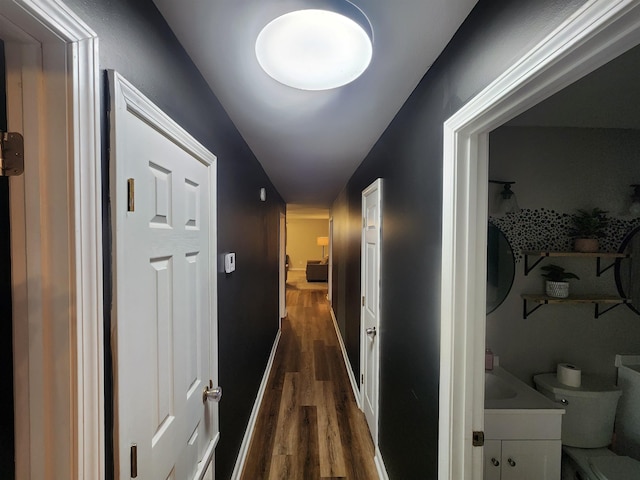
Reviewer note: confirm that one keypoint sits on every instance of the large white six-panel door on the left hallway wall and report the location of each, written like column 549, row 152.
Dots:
column 164, row 308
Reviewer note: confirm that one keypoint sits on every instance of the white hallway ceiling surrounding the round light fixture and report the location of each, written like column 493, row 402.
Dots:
column 310, row 143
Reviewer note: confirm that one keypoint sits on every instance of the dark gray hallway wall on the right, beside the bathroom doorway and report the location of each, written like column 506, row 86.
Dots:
column 494, row 36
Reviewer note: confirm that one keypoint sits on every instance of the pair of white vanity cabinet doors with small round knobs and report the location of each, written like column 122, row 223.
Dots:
column 522, row 459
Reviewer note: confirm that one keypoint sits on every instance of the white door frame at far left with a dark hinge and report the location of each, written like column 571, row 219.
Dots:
column 56, row 239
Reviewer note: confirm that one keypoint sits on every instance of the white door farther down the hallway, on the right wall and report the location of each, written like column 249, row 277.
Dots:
column 370, row 312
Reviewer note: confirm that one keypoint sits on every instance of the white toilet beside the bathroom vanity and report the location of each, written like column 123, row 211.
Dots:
column 587, row 429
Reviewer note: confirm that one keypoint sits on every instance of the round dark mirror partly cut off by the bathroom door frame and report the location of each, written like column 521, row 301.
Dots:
column 500, row 268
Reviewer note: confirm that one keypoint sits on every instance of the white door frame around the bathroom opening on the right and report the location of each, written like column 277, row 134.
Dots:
column 596, row 33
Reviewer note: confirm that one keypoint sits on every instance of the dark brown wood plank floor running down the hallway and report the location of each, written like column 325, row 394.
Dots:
column 309, row 426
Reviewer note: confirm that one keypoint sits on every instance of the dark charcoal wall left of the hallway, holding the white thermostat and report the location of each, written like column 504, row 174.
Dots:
column 135, row 40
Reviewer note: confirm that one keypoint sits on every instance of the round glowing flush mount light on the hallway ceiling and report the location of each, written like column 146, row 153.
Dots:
column 317, row 49
